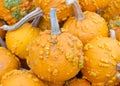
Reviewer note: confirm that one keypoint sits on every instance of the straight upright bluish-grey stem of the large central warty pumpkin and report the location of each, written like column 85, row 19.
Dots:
column 55, row 30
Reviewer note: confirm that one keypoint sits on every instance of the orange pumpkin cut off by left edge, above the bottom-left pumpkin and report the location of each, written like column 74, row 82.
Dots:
column 8, row 61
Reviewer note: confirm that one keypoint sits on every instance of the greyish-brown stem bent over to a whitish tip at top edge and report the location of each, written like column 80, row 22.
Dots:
column 77, row 9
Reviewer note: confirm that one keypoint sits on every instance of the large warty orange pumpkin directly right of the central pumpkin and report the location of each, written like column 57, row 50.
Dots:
column 101, row 57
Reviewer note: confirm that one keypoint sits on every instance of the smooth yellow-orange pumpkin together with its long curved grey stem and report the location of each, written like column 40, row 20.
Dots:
column 17, row 40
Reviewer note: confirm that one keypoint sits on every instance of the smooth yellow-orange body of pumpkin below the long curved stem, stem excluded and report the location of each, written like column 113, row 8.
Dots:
column 18, row 40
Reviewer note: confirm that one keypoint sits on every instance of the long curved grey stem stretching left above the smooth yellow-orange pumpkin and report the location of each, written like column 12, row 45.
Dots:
column 37, row 12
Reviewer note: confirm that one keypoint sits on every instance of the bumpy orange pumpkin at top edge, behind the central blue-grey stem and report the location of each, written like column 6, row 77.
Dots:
column 63, row 11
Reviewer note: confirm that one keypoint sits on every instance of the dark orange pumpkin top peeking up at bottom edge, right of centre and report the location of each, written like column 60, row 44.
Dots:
column 79, row 82
